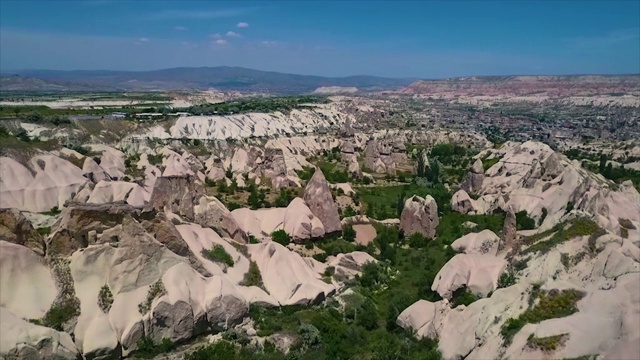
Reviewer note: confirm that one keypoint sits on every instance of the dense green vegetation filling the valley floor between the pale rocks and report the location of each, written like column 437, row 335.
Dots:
column 363, row 324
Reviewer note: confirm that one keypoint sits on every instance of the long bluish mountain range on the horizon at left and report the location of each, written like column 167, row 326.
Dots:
column 187, row 78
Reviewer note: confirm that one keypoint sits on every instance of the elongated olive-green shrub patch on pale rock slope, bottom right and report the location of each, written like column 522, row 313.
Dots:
column 552, row 304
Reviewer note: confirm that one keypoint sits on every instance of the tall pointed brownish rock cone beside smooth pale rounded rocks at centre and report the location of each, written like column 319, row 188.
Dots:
column 317, row 196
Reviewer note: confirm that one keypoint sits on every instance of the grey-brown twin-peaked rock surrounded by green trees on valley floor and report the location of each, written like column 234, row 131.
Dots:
column 420, row 215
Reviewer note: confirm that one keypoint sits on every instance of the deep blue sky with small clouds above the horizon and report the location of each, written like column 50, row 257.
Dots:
column 421, row 39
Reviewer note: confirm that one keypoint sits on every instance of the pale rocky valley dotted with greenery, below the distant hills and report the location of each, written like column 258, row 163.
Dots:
column 396, row 225
